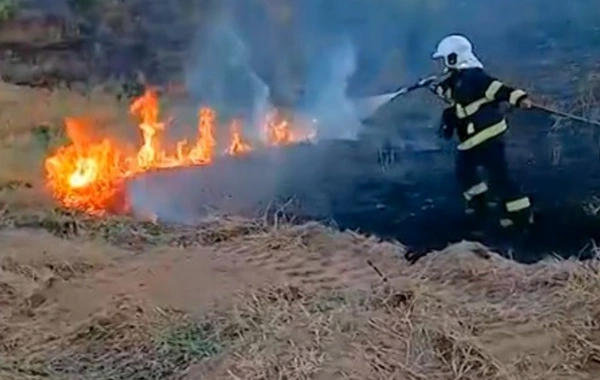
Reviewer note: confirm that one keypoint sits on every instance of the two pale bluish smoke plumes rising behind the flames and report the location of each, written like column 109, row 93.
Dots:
column 221, row 75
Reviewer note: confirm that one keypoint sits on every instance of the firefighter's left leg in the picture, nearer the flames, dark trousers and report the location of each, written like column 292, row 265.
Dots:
column 474, row 189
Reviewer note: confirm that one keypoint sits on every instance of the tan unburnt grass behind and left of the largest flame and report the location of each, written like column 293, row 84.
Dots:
column 32, row 125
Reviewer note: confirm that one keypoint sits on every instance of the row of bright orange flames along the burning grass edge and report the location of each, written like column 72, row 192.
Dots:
column 89, row 173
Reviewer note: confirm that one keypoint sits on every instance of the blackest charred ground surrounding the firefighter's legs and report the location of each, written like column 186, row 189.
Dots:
column 417, row 202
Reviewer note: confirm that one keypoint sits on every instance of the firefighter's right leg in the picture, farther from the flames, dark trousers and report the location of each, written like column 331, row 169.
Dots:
column 517, row 206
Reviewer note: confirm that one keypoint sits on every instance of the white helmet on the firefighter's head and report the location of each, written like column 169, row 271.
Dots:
column 457, row 52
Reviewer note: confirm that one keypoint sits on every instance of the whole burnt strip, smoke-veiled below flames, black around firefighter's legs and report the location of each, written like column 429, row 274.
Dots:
column 413, row 198
